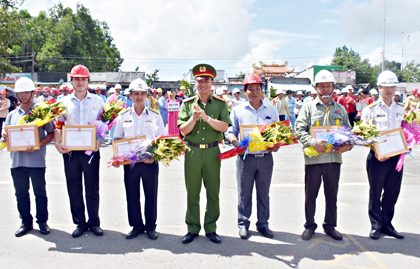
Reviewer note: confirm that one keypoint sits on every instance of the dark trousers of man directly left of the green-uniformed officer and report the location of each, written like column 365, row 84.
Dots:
column 148, row 173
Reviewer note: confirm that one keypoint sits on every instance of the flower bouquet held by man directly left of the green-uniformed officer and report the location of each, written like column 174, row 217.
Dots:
column 163, row 149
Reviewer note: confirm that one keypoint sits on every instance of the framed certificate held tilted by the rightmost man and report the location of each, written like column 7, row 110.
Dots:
column 394, row 144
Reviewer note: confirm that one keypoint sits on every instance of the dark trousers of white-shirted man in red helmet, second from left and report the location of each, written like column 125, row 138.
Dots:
column 77, row 166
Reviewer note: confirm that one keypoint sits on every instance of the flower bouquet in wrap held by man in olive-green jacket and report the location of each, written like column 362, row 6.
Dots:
column 362, row 134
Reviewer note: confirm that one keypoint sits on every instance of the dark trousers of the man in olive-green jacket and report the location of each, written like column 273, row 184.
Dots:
column 329, row 173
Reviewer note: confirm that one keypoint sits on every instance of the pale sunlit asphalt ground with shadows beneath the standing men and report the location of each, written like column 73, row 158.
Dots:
column 285, row 250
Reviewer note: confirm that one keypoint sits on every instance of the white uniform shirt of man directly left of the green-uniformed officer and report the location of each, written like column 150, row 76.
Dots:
column 149, row 123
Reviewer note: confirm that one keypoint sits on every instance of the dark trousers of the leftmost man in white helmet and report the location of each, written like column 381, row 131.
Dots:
column 21, row 177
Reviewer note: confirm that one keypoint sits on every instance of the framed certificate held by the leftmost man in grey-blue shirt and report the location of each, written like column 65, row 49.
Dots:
column 22, row 137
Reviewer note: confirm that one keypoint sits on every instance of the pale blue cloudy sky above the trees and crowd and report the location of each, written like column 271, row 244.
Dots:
column 174, row 35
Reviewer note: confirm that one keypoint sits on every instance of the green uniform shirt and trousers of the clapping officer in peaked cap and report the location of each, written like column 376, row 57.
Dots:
column 203, row 164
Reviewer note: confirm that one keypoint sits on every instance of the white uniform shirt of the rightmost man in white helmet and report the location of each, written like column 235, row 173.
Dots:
column 384, row 117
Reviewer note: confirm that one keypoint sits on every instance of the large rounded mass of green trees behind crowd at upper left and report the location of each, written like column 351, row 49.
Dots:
column 62, row 38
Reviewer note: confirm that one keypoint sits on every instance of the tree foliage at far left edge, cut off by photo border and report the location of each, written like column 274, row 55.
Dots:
column 9, row 25
